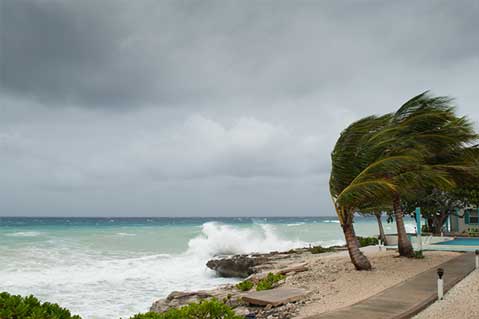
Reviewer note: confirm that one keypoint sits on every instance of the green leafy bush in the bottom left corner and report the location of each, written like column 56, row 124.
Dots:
column 18, row 307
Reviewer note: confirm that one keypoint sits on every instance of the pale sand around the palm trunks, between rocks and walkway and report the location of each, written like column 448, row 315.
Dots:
column 334, row 283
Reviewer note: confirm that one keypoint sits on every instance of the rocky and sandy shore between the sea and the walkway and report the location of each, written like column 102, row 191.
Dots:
column 328, row 279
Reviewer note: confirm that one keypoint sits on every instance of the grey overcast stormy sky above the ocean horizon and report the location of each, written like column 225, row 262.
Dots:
column 208, row 108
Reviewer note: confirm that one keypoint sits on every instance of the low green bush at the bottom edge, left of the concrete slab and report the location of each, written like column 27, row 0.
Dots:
column 207, row 309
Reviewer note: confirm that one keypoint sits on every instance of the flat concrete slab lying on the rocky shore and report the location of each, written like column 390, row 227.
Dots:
column 275, row 297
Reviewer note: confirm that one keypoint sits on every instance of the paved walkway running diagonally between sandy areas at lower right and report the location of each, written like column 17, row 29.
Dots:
column 407, row 298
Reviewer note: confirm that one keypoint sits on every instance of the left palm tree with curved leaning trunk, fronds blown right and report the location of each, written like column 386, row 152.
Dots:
column 357, row 176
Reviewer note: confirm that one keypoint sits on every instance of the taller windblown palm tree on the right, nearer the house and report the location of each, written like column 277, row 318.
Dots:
column 429, row 126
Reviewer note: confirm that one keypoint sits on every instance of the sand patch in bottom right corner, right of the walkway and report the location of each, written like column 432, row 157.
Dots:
column 460, row 302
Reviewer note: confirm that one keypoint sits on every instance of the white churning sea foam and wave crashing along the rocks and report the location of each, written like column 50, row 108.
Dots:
column 99, row 284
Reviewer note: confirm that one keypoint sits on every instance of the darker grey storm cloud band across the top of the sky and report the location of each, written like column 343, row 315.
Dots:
column 130, row 53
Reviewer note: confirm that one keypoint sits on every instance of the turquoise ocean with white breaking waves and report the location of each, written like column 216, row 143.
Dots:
column 104, row 268
